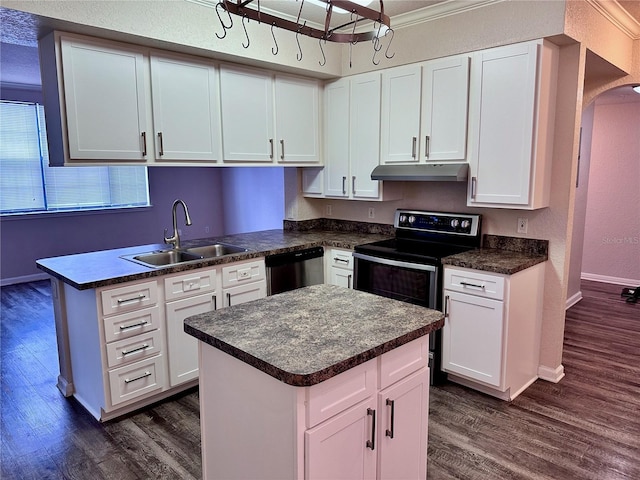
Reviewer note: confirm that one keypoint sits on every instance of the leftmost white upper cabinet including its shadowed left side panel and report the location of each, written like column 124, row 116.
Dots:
column 97, row 98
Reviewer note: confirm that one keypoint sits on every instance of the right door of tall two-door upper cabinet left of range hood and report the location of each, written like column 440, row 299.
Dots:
column 364, row 129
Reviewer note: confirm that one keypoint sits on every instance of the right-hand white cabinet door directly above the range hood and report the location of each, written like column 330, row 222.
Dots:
column 445, row 95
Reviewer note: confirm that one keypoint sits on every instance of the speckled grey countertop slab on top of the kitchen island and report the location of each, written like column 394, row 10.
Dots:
column 305, row 336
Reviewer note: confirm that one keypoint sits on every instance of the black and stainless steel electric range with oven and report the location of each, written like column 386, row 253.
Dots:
column 409, row 266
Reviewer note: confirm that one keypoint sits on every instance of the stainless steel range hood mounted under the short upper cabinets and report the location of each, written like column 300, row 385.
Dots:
column 441, row 172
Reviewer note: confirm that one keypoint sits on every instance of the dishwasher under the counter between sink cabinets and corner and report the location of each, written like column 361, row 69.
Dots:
column 291, row 270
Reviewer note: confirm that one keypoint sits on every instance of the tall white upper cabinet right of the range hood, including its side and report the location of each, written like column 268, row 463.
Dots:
column 512, row 110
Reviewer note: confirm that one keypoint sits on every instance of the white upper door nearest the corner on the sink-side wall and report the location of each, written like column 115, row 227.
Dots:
column 297, row 120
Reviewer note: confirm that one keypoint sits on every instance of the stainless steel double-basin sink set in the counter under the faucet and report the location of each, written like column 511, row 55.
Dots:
column 168, row 258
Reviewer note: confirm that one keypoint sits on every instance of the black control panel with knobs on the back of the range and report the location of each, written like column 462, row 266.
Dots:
column 438, row 222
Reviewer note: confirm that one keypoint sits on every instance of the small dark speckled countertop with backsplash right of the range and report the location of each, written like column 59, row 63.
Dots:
column 505, row 255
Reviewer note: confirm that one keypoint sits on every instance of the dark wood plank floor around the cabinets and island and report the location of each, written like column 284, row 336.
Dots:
column 585, row 427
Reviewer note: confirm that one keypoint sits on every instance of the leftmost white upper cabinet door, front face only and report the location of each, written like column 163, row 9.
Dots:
column 105, row 98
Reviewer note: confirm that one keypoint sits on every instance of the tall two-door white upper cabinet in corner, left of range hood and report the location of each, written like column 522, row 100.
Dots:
column 352, row 147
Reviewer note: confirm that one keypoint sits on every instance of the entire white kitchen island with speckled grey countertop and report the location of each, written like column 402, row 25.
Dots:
column 319, row 382
